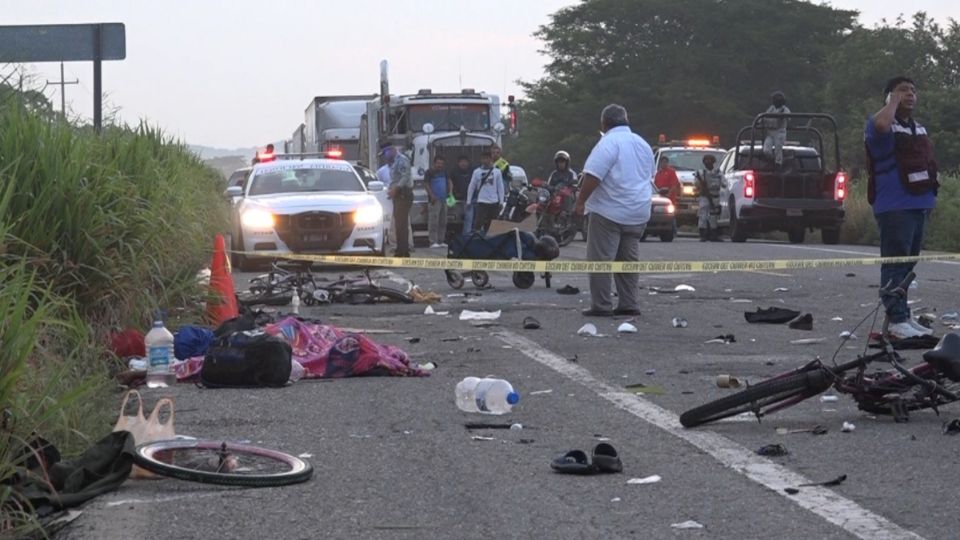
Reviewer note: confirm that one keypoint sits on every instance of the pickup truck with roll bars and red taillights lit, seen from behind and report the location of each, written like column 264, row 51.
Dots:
column 806, row 192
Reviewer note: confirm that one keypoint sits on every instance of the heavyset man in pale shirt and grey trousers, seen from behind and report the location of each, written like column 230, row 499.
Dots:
column 616, row 192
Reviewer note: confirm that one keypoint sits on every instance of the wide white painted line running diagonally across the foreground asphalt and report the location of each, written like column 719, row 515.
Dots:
column 823, row 502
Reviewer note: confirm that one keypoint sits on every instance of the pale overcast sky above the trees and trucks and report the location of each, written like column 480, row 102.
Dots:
column 233, row 73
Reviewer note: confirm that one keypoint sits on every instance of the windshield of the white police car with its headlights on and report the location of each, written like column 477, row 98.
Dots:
column 304, row 180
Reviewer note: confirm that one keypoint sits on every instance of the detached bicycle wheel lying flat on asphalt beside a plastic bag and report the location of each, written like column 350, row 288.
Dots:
column 217, row 462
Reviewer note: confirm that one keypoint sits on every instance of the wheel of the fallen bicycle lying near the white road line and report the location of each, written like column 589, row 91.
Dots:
column 756, row 397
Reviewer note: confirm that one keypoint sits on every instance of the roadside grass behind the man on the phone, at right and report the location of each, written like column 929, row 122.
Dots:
column 860, row 227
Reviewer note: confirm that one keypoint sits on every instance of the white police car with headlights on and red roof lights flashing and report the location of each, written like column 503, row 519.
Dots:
column 300, row 204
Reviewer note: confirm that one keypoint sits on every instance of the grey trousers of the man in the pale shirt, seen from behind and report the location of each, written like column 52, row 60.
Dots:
column 610, row 241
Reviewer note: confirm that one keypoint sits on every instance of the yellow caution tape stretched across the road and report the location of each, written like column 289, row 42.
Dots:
column 581, row 267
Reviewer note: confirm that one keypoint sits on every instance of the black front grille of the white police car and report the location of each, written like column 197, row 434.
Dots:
column 315, row 231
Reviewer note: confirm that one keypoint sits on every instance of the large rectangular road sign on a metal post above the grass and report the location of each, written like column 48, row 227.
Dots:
column 67, row 43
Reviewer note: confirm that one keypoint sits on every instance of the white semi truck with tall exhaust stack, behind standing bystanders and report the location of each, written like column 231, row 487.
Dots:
column 429, row 124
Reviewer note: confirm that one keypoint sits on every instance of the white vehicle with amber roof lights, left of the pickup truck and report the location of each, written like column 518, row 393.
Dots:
column 686, row 157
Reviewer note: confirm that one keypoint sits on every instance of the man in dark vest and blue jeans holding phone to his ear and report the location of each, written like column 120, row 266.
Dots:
column 902, row 188
